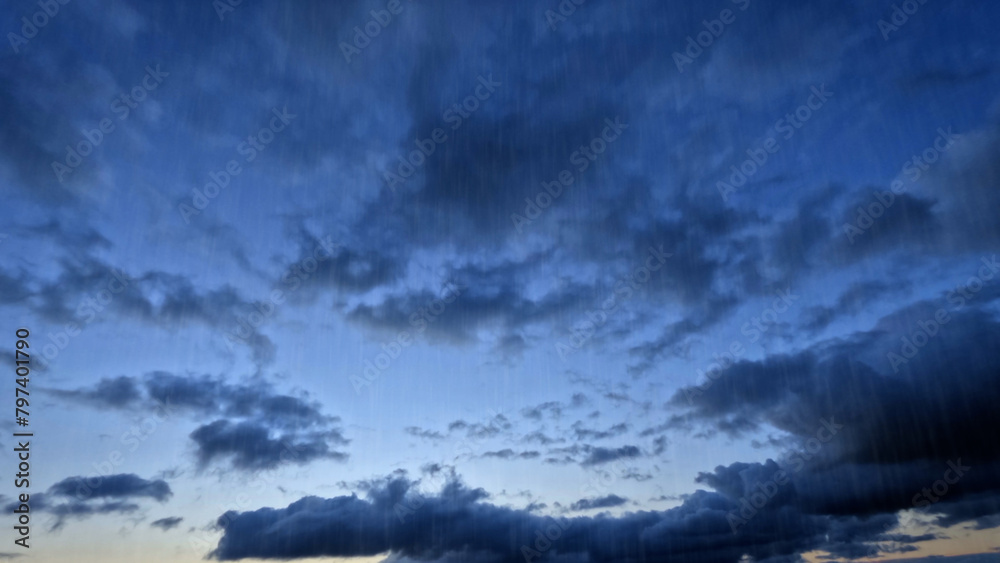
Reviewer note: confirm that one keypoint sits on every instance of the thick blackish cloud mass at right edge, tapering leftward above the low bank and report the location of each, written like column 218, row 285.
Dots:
column 785, row 391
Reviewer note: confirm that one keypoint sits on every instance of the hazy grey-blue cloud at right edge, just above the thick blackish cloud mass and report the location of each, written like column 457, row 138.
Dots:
column 931, row 207
